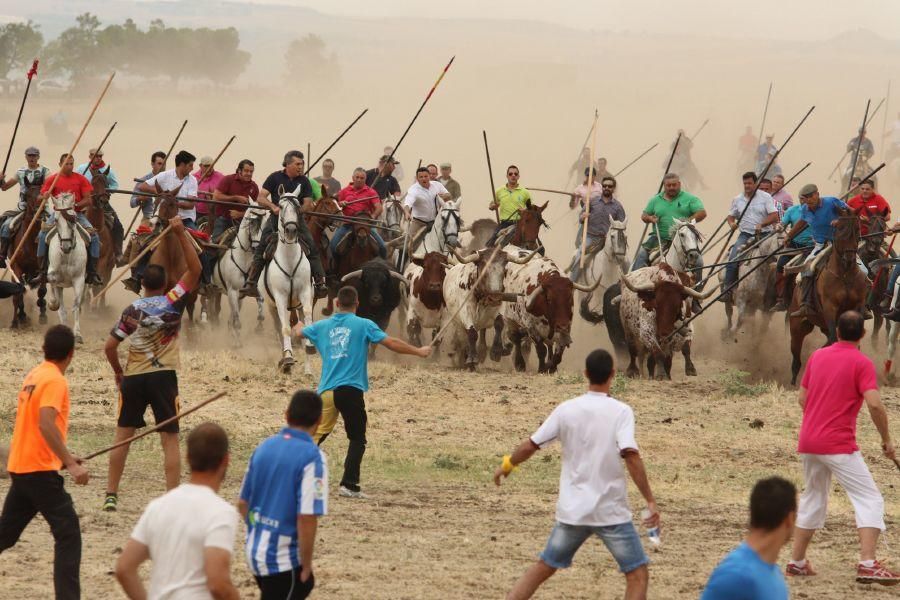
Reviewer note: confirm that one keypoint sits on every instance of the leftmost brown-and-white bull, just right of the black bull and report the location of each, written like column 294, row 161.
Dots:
column 426, row 304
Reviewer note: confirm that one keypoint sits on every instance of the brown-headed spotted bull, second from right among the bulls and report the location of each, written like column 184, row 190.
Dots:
column 542, row 313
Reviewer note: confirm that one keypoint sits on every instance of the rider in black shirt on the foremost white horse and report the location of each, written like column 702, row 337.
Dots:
column 289, row 180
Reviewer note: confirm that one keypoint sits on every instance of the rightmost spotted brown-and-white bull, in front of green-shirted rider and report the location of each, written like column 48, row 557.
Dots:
column 654, row 302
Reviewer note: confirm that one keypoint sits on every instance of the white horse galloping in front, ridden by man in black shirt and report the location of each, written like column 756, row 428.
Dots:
column 287, row 283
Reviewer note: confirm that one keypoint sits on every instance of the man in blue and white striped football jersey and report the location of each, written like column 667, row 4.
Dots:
column 285, row 491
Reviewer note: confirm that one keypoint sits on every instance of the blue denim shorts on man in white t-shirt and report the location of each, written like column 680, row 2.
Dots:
column 622, row 541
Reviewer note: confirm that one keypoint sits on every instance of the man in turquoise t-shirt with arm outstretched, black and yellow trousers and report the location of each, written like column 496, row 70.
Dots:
column 343, row 343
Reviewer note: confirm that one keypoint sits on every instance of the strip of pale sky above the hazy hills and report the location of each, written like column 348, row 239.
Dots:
column 796, row 19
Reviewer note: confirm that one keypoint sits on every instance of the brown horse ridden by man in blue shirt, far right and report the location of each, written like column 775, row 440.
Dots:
column 840, row 286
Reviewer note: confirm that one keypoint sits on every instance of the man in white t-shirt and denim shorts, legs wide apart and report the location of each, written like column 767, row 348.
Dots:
column 596, row 431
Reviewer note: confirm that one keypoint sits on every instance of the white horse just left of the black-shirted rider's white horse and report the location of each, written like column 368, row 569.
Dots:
column 231, row 269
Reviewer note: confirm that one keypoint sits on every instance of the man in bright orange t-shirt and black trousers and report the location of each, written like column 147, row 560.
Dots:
column 37, row 452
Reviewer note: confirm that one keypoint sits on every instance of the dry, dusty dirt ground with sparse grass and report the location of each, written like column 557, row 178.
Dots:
column 436, row 526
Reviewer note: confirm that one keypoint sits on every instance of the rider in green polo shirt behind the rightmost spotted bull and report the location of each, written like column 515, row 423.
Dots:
column 662, row 209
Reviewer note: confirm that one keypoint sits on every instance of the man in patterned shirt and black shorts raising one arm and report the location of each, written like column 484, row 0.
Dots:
column 150, row 376
